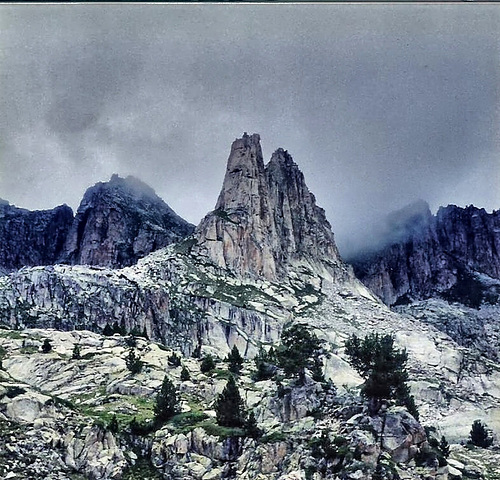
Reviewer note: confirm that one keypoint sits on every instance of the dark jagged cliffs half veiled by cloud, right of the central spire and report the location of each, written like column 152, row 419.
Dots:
column 447, row 255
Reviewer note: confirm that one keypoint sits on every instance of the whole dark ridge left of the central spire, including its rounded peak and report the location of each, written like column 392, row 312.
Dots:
column 118, row 222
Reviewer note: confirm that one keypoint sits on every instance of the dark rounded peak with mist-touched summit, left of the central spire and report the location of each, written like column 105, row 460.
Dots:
column 119, row 222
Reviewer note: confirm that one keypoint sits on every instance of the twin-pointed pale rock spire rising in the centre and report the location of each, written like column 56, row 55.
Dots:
column 265, row 219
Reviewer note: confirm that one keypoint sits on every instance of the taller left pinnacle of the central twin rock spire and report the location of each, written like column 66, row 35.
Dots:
column 236, row 235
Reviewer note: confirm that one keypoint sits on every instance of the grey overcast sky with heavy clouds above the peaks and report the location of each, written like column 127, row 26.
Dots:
column 380, row 105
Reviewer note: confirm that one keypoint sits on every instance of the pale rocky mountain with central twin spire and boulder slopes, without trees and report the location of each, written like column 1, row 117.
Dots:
column 265, row 258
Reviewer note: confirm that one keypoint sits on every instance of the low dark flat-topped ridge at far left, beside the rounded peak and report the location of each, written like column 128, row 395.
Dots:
column 29, row 238
